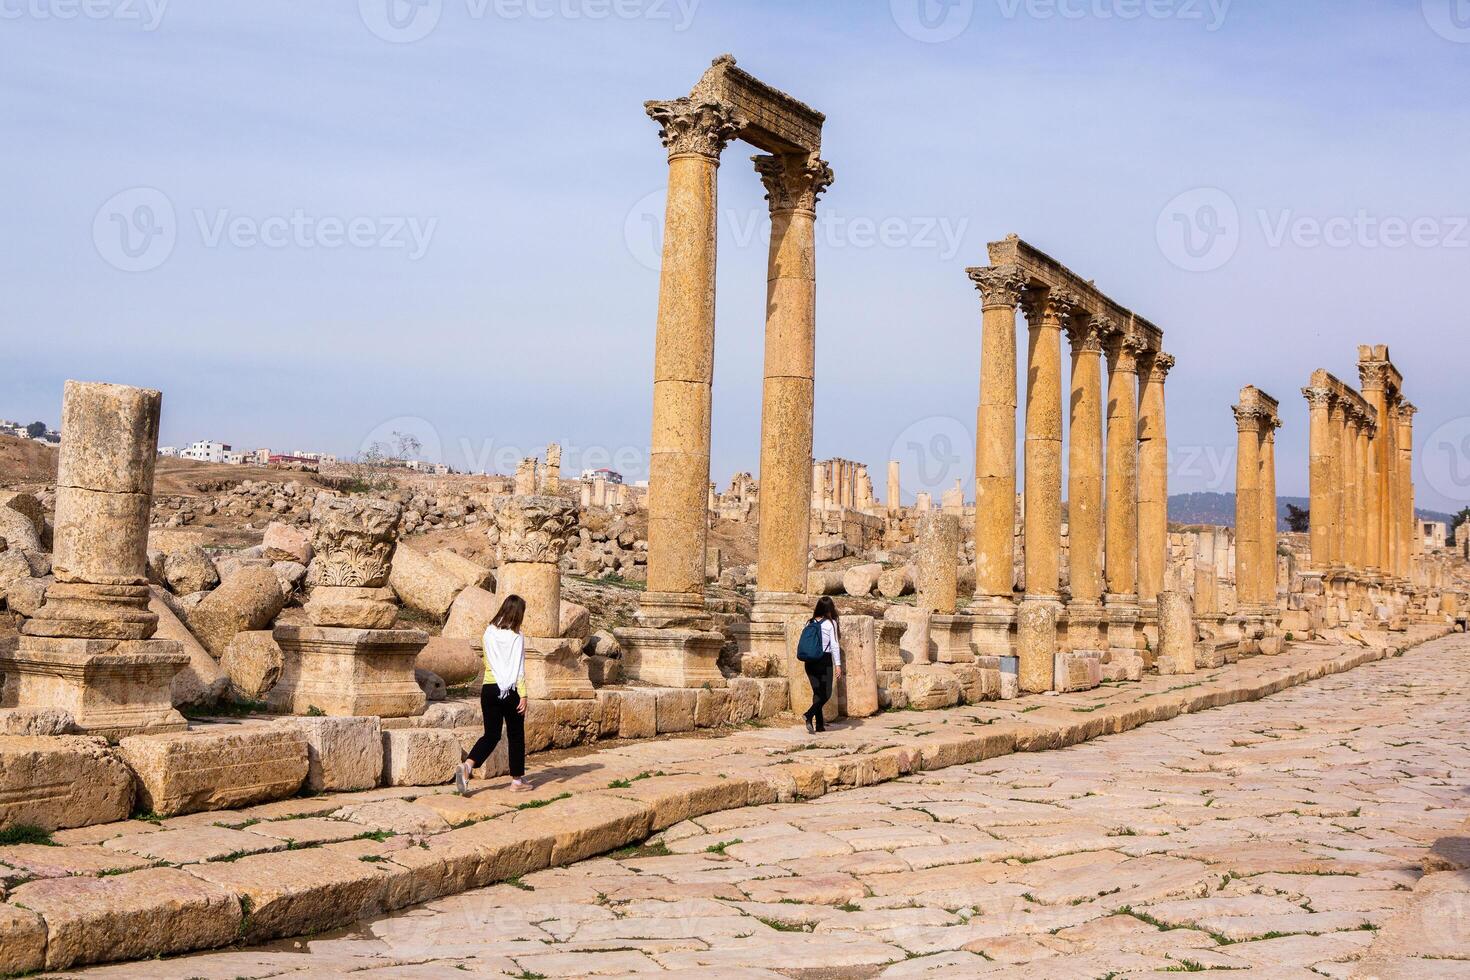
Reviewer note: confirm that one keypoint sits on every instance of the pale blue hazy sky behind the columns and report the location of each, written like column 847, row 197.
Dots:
column 518, row 148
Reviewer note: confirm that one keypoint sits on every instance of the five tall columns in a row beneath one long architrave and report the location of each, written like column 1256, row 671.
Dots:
column 1118, row 499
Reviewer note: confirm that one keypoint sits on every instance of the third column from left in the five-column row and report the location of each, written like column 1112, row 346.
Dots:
column 1086, row 484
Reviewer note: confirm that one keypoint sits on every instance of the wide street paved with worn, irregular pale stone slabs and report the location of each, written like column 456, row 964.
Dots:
column 1284, row 837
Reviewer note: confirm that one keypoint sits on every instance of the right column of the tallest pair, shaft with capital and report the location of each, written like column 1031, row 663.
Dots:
column 793, row 186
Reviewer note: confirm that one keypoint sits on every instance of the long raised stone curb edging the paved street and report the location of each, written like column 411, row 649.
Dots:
column 55, row 923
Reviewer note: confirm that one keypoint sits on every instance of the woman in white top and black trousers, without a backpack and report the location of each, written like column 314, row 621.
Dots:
column 503, row 697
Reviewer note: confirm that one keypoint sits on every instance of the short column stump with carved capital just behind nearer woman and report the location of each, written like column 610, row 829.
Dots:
column 534, row 536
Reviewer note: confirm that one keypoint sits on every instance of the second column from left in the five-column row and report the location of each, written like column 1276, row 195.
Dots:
column 1043, row 524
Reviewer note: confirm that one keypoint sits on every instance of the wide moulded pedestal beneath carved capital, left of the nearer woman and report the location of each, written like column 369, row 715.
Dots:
column 348, row 672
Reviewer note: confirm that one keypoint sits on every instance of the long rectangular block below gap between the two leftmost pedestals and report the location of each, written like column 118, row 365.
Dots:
column 189, row 772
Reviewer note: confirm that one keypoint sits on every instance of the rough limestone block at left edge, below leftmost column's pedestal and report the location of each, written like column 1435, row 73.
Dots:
column 62, row 781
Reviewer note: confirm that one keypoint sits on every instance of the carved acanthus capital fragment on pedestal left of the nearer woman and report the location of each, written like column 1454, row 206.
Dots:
column 352, row 541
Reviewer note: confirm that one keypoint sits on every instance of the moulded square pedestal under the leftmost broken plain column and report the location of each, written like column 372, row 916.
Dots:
column 111, row 688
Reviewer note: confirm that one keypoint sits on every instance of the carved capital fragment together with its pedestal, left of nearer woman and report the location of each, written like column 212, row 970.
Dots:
column 351, row 662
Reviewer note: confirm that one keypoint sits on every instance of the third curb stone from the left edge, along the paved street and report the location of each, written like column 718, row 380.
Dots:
column 295, row 893
